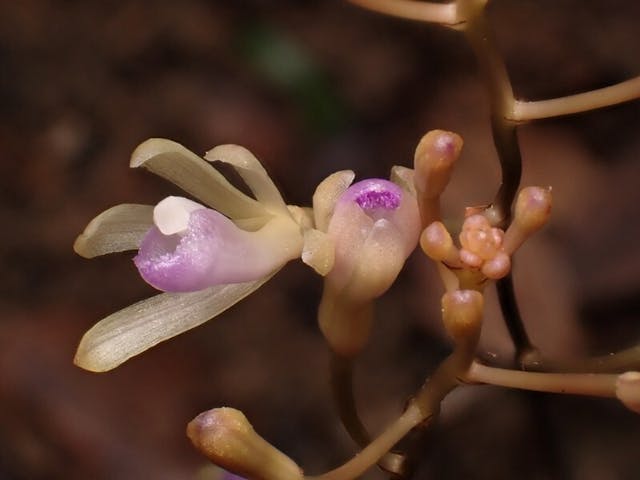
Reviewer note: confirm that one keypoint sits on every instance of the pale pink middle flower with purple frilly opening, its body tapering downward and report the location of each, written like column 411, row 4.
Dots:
column 374, row 227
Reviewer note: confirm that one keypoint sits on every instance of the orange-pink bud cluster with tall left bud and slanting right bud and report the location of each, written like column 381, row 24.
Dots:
column 484, row 251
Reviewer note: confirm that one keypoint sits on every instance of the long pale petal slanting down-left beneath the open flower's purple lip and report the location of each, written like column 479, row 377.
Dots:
column 142, row 325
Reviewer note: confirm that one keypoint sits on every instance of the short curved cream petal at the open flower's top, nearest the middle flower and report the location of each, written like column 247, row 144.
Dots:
column 252, row 172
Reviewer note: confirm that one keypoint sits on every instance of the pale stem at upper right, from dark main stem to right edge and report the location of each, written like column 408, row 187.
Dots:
column 523, row 111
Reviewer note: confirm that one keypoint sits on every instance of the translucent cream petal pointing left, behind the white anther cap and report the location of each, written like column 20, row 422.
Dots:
column 118, row 229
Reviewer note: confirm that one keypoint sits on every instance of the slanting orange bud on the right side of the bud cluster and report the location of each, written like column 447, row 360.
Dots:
column 532, row 211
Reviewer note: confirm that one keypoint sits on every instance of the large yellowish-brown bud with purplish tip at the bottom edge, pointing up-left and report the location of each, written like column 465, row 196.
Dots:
column 227, row 438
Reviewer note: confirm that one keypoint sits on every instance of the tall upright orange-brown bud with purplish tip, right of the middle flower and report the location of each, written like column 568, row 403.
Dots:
column 435, row 156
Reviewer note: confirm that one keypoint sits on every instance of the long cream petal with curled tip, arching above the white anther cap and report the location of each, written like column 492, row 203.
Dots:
column 174, row 162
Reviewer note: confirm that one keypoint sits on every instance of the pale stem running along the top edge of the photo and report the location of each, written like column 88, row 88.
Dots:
column 443, row 13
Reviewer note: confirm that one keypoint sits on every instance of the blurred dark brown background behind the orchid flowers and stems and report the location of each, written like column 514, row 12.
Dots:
column 310, row 87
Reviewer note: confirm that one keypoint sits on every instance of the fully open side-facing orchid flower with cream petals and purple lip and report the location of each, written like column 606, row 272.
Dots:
column 205, row 257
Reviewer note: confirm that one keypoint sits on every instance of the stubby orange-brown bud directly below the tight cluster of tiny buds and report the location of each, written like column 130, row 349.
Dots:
column 462, row 314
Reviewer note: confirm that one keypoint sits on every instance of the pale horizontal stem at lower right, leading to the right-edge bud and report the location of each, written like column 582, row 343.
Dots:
column 592, row 384
